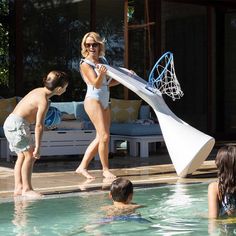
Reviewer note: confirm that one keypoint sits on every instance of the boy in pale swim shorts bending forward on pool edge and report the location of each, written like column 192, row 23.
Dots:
column 31, row 109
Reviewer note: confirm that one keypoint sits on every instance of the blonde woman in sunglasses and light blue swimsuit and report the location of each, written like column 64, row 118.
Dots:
column 96, row 102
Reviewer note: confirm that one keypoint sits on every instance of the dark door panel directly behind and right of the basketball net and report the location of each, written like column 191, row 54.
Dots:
column 184, row 33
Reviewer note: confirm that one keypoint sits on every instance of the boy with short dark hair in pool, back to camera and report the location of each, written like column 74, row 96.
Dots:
column 121, row 193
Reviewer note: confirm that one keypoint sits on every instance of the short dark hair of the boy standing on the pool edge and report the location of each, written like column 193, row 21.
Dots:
column 55, row 79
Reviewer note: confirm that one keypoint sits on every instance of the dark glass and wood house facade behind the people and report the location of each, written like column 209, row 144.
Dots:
column 43, row 35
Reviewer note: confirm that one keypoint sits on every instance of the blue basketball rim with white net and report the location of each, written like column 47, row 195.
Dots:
column 162, row 78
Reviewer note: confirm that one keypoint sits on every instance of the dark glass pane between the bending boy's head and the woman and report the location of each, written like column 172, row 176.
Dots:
column 52, row 32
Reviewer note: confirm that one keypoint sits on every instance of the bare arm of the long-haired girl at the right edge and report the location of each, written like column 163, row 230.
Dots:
column 213, row 200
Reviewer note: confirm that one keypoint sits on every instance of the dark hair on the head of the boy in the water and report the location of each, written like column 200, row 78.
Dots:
column 121, row 189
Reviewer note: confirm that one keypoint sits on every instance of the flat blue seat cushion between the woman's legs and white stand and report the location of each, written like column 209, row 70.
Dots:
column 135, row 129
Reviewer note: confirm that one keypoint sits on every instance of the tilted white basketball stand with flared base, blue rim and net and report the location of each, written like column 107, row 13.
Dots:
column 178, row 135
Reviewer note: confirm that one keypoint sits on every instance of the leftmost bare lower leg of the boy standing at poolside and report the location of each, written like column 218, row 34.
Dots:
column 17, row 174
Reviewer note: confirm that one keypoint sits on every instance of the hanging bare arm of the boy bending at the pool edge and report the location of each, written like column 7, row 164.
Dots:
column 39, row 127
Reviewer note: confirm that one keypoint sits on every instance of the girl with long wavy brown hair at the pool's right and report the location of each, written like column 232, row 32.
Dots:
column 222, row 194
